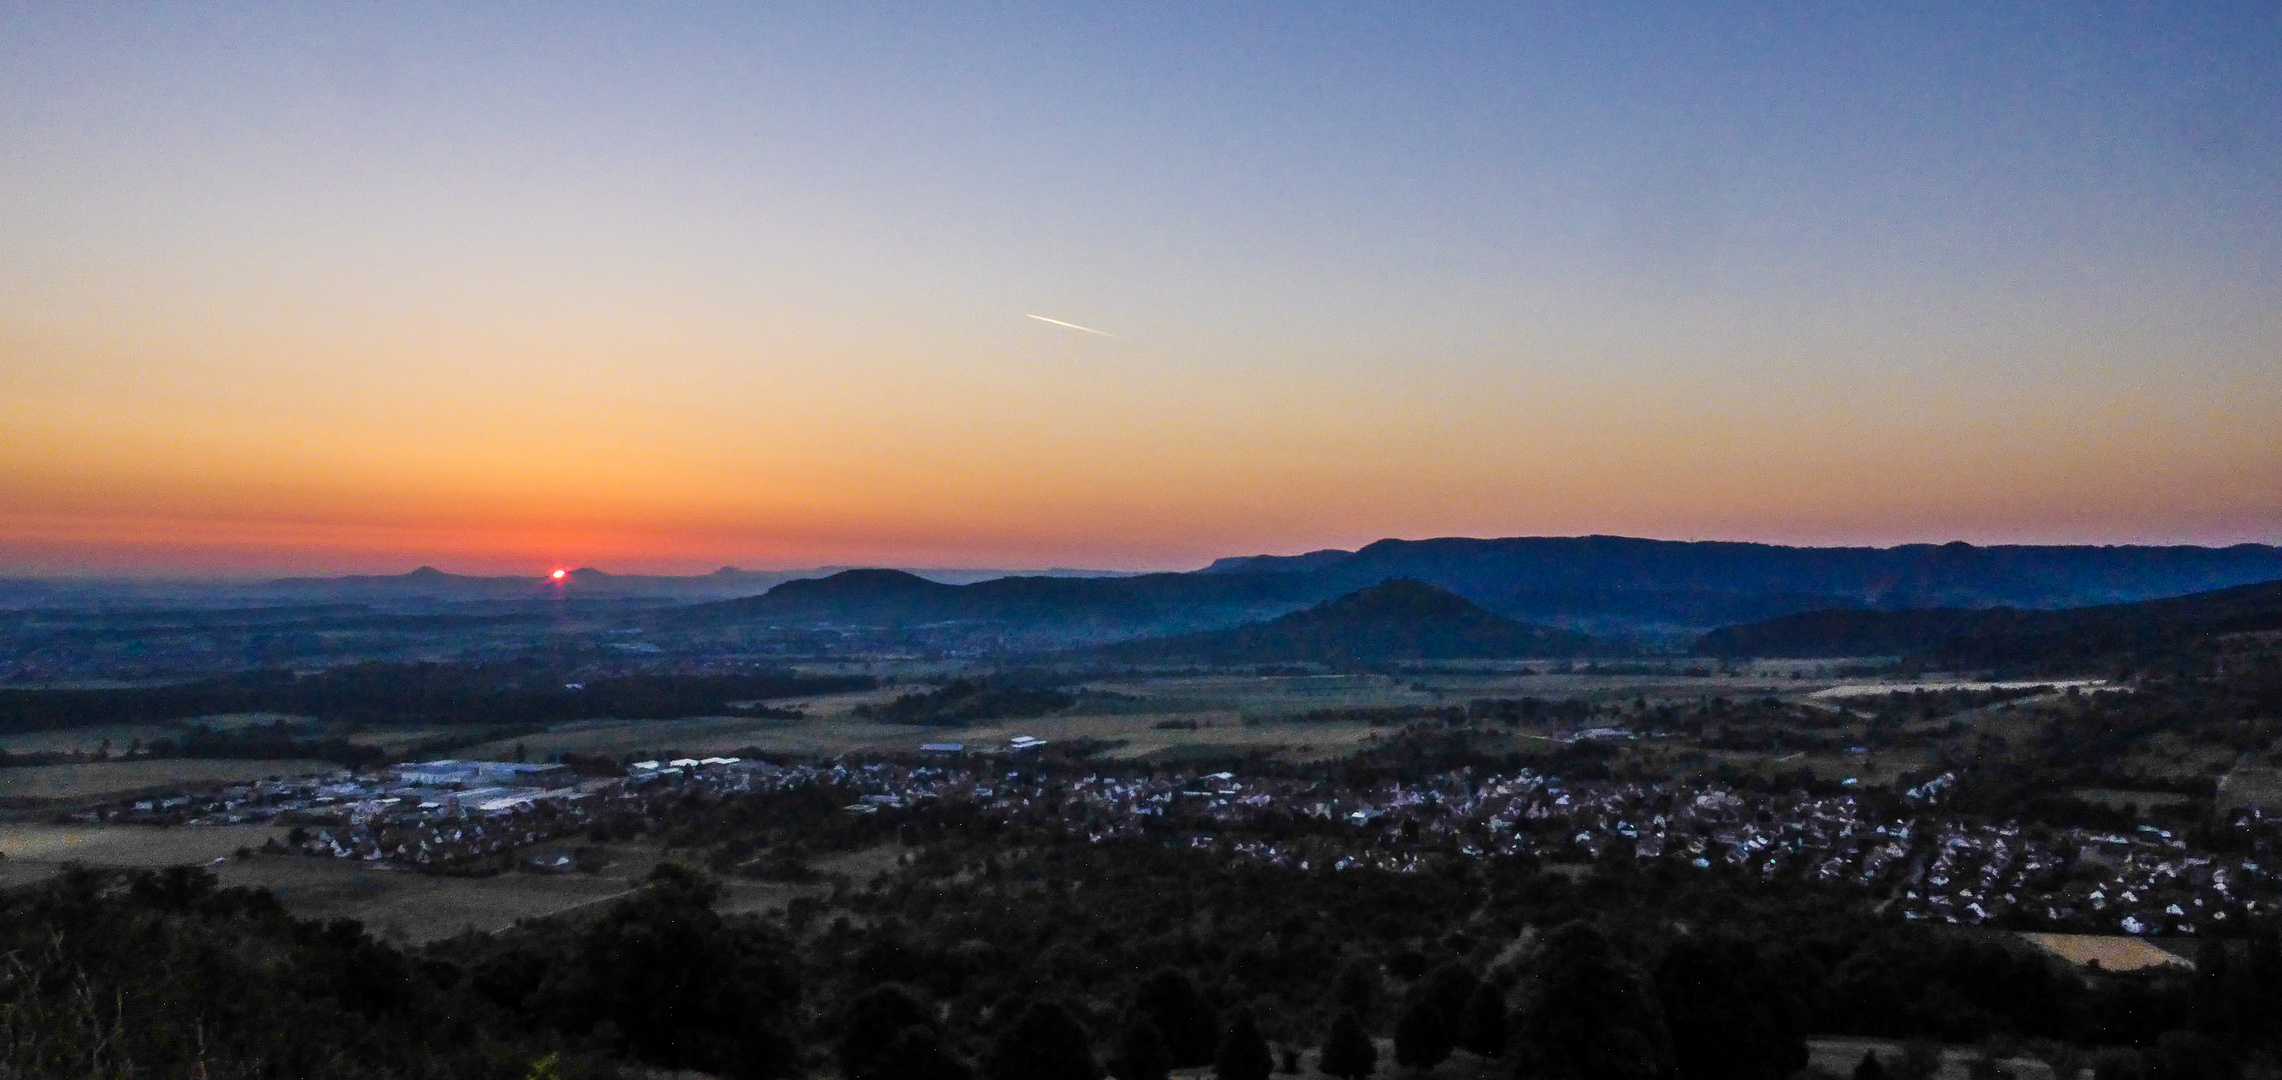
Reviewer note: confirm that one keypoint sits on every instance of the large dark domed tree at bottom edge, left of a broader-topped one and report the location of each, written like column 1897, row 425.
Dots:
column 1589, row 1015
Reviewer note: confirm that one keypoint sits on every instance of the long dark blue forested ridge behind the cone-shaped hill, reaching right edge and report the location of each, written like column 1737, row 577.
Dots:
column 1608, row 586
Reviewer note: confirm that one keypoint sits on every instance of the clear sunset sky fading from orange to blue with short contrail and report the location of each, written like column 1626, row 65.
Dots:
column 309, row 289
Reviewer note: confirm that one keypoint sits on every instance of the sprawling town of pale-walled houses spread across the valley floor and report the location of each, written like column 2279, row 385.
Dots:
column 1934, row 864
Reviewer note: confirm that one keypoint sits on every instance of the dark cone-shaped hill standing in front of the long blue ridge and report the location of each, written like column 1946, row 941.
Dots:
column 1400, row 620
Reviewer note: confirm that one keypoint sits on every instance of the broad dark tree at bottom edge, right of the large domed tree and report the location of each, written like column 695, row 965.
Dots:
column 1729, row 1013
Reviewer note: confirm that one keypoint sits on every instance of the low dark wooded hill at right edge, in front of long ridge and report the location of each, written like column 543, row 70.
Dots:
column 2005, row 636
